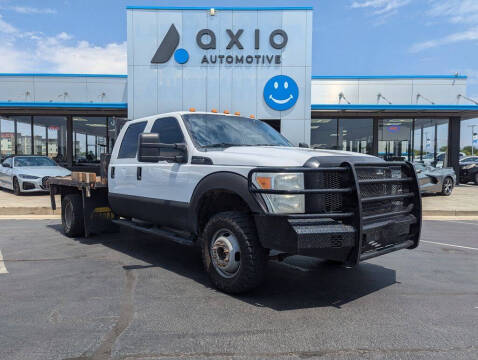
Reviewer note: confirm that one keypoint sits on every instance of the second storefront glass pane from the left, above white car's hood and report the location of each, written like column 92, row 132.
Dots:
column 49, row 137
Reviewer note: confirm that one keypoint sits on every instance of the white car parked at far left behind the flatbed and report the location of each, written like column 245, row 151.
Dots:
column 25, row 173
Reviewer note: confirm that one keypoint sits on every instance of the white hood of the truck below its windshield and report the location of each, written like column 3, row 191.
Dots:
column 280, row 156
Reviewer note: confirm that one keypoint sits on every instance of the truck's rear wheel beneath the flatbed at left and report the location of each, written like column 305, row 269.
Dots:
column 72, row 215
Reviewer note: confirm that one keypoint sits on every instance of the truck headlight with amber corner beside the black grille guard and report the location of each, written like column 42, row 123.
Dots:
column 281, row 204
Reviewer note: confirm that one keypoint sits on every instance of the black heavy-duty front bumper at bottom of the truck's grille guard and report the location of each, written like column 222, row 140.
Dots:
column 333, row 240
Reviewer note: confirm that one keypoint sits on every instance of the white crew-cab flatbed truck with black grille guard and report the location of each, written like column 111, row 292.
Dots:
column 238, row 189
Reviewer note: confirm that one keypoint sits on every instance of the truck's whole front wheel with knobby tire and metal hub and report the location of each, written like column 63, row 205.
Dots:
column 233, row 257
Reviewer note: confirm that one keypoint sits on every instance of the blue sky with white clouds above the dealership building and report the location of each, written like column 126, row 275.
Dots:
column 351, row 37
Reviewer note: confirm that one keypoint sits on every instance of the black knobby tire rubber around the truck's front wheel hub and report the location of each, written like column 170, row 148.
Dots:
column 253, row 257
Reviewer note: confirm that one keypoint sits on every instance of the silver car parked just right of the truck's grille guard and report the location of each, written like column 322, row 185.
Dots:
column 434, row 180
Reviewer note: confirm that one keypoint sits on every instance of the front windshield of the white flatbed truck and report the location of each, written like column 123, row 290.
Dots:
column 208, row 130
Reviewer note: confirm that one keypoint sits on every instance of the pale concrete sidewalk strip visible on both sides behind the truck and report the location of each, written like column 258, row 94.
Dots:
column 463, row 202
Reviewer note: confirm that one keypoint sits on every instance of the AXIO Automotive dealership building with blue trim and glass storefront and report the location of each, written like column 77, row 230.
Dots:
column 254, row 61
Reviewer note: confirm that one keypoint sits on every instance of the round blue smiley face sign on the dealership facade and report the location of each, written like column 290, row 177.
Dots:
column 281, row 92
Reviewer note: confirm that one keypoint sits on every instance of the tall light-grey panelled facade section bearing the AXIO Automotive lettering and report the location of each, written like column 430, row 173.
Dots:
column 256, row 61
